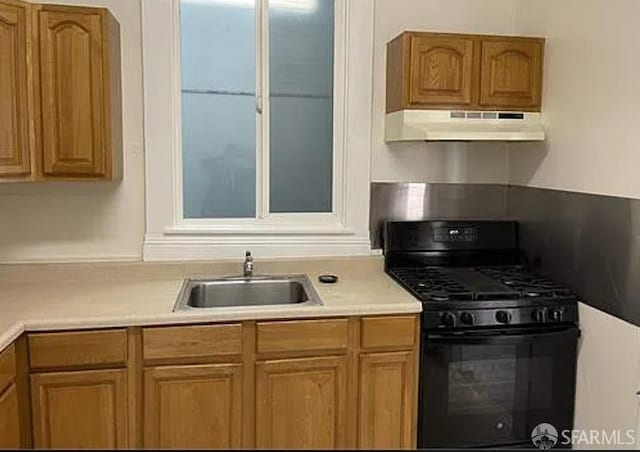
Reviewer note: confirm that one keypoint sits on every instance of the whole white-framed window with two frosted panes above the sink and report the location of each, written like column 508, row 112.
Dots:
column 257, row 127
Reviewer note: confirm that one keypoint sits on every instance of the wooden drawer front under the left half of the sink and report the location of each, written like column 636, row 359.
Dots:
column 192, row 341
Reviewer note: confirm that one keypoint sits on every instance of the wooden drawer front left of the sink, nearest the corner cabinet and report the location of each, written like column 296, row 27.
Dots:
column 78, row 348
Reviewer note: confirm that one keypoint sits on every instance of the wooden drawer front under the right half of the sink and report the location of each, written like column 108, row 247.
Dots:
column 303, row 335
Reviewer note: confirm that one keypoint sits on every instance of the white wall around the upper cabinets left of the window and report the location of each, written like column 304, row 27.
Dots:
column 86, row 221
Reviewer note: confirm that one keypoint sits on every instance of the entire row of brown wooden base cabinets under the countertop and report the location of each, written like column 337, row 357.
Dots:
column 337, row 383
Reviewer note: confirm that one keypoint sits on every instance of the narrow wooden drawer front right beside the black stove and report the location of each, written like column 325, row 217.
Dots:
column 388, row 332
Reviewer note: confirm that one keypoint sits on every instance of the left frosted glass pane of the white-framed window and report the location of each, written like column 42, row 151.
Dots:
column 218, row 108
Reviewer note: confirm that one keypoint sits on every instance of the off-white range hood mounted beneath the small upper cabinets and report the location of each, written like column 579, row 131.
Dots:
column 445, row 125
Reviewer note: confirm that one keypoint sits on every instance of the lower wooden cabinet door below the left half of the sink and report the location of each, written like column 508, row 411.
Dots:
column 193, row 407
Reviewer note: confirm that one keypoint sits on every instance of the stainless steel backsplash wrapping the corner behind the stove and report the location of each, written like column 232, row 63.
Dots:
column 589, row 242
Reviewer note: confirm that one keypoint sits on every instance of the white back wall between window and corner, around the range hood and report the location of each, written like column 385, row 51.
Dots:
column 434, row 162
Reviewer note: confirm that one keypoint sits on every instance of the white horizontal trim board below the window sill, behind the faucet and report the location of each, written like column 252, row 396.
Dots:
column 190, row 249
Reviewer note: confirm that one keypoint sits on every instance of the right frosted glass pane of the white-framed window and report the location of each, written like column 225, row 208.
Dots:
column 301, row 103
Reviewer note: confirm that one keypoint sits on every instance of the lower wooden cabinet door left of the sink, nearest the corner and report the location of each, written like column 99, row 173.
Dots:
column 79, row 410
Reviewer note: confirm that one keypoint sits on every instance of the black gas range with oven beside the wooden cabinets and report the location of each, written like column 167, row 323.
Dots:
column 498, row 353
